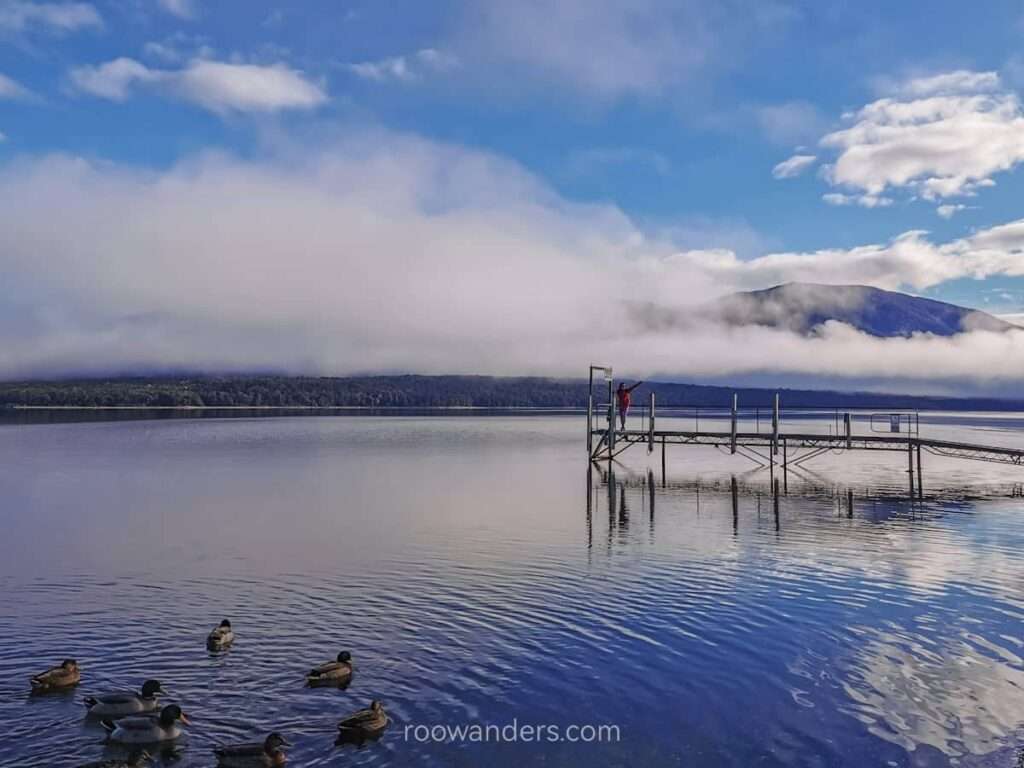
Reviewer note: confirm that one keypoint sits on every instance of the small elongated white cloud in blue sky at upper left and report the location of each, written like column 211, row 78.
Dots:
column 218, row 87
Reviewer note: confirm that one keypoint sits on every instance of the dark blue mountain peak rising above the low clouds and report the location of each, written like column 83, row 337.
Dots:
column 804, row 307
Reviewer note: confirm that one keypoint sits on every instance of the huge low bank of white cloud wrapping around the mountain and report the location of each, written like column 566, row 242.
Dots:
column 385, row 253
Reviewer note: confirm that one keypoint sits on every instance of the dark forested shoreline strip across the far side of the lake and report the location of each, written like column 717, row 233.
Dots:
column 428, row 392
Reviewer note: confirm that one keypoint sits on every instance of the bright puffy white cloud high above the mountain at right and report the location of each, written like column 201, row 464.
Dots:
column 938, row 138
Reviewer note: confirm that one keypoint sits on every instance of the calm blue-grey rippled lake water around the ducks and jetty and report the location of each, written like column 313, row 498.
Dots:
column 480, row 575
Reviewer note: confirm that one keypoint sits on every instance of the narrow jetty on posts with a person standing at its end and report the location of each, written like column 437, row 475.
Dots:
column 898, row 432
